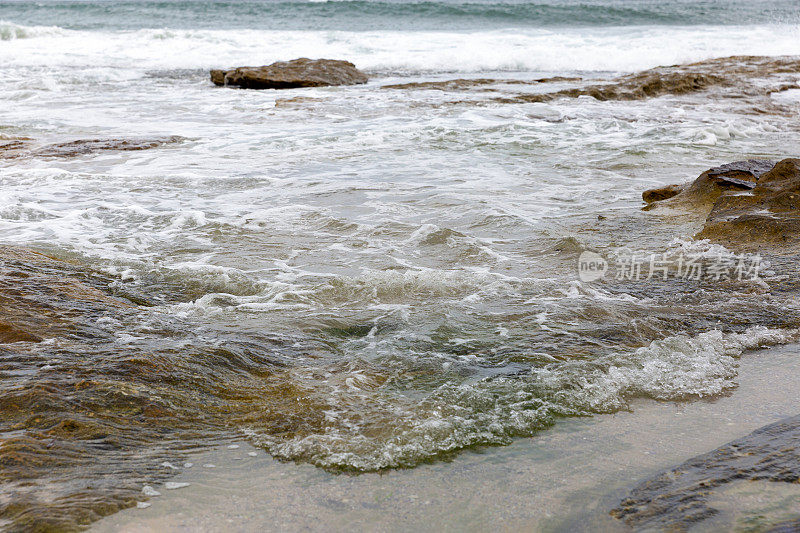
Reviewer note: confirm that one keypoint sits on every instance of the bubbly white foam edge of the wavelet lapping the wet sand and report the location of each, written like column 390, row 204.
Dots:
column 495, row 411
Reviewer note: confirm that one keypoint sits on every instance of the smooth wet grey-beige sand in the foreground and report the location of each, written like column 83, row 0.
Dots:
column 567, row 478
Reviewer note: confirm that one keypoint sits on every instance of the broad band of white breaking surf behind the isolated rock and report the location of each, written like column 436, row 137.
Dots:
column 568, row 49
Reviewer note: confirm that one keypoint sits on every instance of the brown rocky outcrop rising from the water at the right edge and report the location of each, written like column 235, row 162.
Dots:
column 747, row 204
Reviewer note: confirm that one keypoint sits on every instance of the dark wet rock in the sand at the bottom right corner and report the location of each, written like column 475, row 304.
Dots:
column 677, row 499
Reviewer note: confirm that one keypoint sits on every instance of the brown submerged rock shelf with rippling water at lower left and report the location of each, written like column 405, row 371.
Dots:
column 98, row 393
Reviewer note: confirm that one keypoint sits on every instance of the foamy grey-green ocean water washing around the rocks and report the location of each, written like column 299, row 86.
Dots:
column 362, row 277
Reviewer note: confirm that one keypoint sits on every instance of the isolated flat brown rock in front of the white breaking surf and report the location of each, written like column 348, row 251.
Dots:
column 301, row 72
